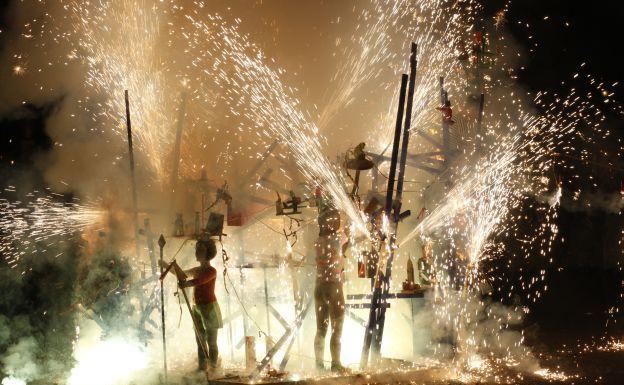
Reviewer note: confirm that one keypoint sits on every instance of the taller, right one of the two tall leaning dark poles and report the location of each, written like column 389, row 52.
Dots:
column 399, row 193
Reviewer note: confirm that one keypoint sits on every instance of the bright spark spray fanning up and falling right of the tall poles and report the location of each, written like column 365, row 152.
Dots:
column 483, row 207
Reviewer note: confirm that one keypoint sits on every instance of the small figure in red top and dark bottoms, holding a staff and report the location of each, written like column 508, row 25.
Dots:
column 206, row 309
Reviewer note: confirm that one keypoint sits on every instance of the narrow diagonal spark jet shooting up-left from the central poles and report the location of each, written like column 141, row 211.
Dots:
column 258, row 93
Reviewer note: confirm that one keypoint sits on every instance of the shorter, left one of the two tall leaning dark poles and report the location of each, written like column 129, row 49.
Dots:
column 376, row 297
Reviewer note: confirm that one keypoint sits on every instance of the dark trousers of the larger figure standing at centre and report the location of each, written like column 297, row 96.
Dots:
column 329, row 302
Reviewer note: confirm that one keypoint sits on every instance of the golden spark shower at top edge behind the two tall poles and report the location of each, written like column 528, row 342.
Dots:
column 385, row 30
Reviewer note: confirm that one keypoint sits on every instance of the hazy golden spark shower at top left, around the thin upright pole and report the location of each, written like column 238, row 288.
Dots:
column 120, row 43
